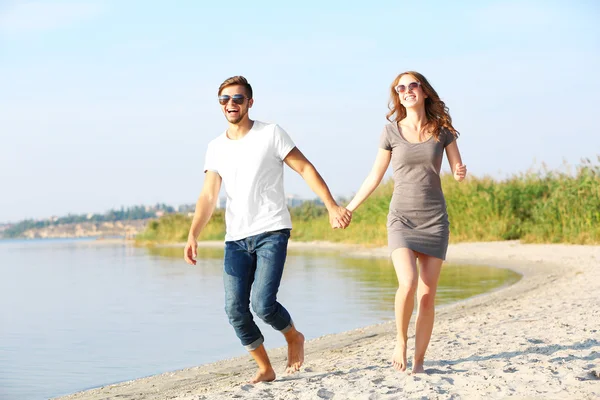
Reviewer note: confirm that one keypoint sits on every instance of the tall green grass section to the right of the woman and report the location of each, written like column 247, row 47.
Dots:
column 538, row 206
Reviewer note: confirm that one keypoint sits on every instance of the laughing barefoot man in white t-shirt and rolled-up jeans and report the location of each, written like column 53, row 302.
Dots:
column 248, row 158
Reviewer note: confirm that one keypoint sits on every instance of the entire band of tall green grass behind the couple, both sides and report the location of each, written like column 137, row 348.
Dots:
column 537, row 206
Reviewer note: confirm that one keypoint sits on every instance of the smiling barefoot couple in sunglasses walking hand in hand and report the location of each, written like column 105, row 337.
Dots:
column 249, row 156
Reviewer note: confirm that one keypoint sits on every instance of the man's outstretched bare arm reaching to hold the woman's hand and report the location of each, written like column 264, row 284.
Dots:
column 338, row 216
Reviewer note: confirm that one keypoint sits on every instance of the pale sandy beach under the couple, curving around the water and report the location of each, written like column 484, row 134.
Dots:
column 537, row 339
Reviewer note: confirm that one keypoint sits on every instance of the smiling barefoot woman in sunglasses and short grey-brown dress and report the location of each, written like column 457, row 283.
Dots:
column 420, row 129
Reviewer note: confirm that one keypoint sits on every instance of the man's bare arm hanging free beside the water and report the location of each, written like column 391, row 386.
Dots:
column 204, row 208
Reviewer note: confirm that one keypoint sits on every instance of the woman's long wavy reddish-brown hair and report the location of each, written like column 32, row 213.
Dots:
column 438, row 115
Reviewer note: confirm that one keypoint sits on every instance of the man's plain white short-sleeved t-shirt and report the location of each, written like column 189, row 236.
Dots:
column 252, row 173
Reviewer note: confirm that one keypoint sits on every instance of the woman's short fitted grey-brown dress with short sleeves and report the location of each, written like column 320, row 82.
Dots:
column 417, row 218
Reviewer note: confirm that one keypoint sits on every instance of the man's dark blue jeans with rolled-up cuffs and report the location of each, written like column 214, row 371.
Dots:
column 256, row 263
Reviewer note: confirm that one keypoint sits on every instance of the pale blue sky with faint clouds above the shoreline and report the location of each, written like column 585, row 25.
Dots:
column 108, row 103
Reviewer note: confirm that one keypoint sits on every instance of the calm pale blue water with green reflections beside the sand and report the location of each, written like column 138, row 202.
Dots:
column 77, row 314
